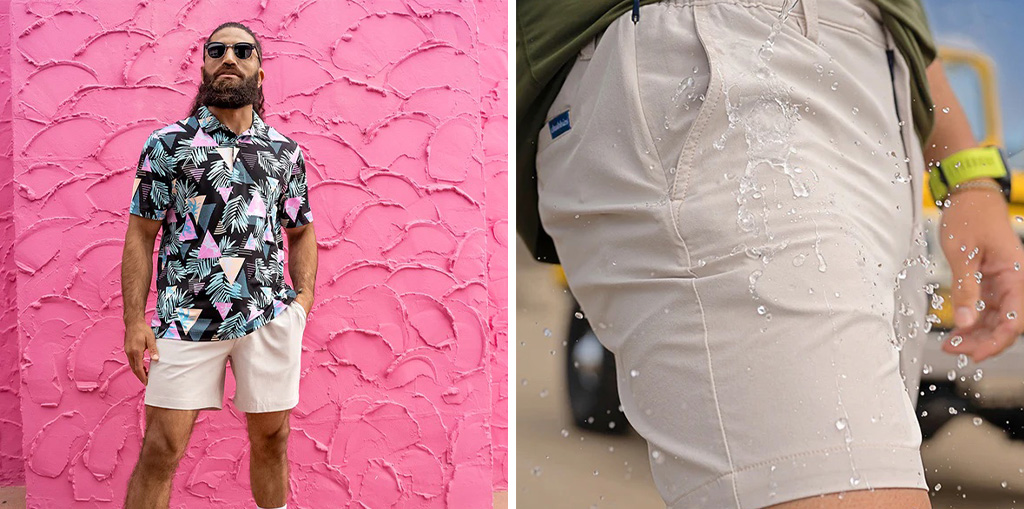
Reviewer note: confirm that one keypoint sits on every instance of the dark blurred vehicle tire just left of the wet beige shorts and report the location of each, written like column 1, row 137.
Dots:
column 590, row 371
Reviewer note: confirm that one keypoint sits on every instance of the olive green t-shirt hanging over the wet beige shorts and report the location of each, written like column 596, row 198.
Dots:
column 551, row 33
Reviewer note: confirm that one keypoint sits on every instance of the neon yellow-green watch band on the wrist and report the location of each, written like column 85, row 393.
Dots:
column 970, row 164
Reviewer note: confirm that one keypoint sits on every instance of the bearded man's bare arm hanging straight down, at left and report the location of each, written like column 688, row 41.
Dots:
column 137, row 275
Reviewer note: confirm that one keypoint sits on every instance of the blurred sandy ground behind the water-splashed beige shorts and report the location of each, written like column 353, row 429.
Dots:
column 561, row 468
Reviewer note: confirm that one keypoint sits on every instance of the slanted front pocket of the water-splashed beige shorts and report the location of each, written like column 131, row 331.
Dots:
column 679, row 89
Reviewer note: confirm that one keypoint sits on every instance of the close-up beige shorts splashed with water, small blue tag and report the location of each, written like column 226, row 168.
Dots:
column 741, row 223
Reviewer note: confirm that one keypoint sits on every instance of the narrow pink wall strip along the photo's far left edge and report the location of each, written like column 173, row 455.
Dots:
column 12, row 463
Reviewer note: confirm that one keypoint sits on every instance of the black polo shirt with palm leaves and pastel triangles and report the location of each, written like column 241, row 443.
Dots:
column 223, row 199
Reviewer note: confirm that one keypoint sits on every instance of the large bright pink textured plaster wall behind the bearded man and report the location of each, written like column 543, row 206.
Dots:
column 401, row 107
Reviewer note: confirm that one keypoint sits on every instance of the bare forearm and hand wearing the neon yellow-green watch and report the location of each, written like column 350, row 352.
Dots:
column 988, row 284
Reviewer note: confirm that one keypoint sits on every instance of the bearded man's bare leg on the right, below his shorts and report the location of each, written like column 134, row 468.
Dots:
column 269, row 458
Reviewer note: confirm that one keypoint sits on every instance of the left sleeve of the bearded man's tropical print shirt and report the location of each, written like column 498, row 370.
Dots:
column 152, row 189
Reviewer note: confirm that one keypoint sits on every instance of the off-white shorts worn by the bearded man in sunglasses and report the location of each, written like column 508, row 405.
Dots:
column 266, row 364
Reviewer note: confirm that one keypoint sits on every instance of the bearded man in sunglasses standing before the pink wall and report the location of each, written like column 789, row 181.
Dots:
column 221, row 186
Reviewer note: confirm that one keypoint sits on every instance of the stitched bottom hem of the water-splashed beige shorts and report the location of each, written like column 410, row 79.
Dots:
column 820, row 473
